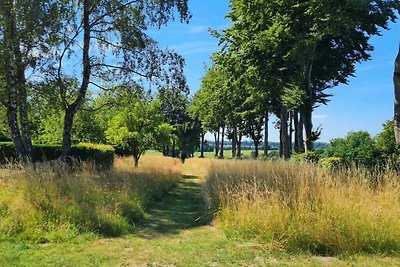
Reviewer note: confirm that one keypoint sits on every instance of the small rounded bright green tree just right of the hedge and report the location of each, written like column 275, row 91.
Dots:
column 138, row 127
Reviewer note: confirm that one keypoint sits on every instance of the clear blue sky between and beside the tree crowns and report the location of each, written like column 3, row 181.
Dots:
column 364, row 104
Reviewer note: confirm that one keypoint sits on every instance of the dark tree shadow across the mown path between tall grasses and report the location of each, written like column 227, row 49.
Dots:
column 182, row 208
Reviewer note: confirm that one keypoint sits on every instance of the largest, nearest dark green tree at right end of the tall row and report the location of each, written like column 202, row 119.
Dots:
column 309, row 44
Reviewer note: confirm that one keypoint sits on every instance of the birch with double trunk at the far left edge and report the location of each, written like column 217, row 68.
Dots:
column 28, row 34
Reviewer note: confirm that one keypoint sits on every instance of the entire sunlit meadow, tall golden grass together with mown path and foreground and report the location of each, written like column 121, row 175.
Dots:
column 202, row 213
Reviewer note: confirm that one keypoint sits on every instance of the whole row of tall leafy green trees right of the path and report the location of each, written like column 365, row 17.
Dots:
column 280, row 57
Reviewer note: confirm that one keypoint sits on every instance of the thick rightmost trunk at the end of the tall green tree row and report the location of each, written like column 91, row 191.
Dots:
column 307, row 114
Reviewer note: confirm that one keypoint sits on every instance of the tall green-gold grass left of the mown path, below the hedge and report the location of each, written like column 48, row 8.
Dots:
column 48, row 204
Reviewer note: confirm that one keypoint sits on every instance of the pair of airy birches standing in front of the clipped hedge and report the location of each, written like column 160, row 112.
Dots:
column 77, row 45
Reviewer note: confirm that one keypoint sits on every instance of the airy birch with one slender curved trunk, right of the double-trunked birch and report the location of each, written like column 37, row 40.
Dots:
column 98, row 29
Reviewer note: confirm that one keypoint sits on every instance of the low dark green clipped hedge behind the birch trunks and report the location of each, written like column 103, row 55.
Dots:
column 101, row 155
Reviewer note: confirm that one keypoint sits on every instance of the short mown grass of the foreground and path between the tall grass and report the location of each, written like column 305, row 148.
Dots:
column 177, row 231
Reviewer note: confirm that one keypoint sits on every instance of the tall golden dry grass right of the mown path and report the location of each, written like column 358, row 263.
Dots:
column 301, row 207
